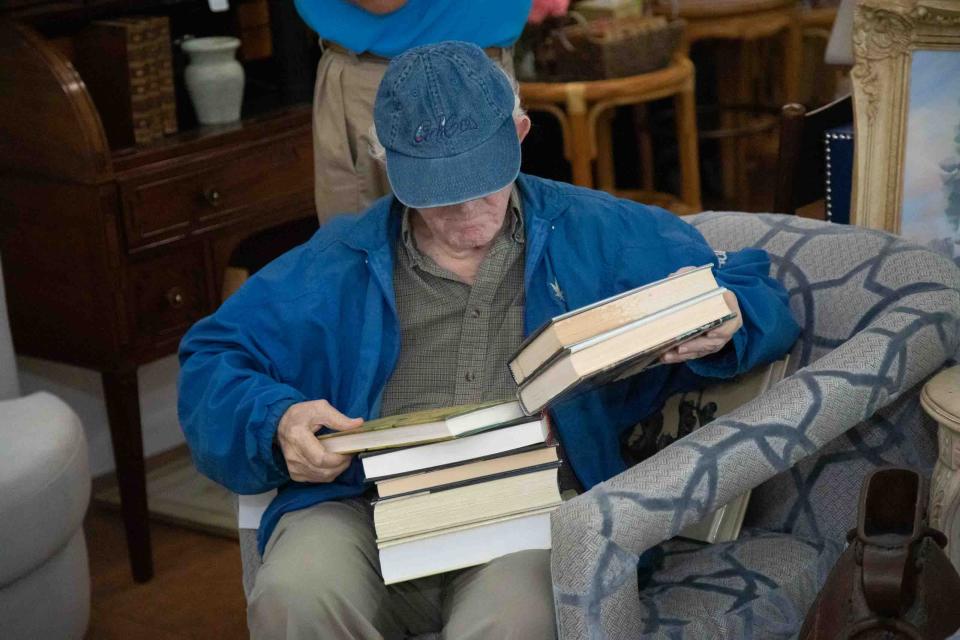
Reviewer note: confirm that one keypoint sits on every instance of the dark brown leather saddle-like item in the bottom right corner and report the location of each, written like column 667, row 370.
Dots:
column 893, row 581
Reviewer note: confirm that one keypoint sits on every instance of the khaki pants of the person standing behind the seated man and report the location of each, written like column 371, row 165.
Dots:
column 347, row 178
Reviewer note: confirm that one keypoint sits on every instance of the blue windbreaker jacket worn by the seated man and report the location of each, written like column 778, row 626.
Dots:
column 321, row 322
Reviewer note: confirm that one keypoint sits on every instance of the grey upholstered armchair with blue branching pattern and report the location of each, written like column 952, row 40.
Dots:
column 879, row 317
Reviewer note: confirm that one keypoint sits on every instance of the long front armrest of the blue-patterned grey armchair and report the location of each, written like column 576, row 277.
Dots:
column 599, row 536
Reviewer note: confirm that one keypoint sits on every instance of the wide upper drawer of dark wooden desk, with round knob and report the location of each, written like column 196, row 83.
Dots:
column 167, row 205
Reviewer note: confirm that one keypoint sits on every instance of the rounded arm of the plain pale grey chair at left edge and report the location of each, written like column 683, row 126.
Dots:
column 44, row 481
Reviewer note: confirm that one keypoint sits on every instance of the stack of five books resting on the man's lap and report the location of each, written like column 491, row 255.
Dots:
column 457, row 486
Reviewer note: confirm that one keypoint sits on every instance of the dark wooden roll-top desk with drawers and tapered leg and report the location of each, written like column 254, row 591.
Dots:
column 110, row 257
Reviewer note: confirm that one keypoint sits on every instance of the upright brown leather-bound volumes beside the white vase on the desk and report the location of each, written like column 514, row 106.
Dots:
column 127, row 66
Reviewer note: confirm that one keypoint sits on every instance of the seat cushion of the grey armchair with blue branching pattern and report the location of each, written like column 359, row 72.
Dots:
column 758, row 586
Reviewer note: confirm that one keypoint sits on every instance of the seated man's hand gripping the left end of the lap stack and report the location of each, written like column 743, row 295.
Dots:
column 307, row 458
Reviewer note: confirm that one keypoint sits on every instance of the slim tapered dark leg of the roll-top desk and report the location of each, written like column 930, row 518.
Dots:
column 123, row 411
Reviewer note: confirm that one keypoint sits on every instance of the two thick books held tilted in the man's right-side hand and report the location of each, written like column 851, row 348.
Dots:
column 617, row 337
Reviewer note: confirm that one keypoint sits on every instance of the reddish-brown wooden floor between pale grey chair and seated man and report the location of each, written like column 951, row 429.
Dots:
column 196, row 591
